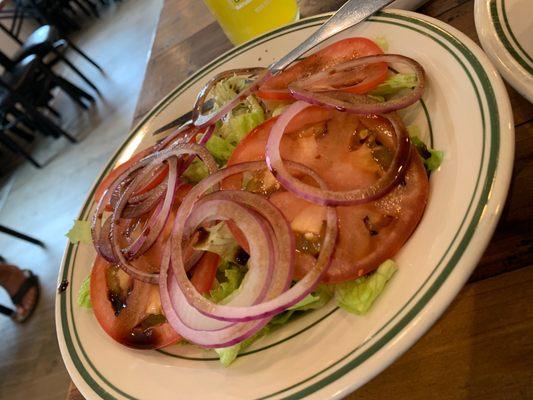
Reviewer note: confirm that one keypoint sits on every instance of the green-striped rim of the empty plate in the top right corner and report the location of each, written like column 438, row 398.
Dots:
column 497, row 44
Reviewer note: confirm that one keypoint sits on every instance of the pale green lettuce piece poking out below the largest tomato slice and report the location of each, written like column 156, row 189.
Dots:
column 358, row 296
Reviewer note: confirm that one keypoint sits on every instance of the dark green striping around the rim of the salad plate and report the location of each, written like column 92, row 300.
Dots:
column 430, row 30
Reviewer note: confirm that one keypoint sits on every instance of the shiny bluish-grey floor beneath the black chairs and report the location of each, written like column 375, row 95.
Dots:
column 43, row 203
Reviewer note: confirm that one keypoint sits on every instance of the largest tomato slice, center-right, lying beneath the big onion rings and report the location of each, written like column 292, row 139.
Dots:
column 368, row 233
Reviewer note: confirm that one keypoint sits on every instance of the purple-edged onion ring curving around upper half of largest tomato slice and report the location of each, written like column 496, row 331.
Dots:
column 329, row 197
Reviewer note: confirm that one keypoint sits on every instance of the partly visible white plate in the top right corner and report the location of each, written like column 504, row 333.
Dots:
column 505, row 29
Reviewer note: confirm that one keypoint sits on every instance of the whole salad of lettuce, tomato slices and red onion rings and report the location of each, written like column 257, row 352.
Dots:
column 282, row 194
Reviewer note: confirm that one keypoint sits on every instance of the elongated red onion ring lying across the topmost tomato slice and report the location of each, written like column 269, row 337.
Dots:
column 354, row 103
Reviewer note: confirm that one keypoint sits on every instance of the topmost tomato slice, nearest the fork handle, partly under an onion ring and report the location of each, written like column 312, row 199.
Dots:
column 344, row 50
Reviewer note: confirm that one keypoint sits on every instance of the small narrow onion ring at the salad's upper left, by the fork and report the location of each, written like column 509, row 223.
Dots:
column 205, row 120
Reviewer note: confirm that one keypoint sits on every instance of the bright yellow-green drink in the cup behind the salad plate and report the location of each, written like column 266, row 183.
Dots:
column 243, row 20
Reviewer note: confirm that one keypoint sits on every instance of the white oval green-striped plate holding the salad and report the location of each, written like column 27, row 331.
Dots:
column 329, row 353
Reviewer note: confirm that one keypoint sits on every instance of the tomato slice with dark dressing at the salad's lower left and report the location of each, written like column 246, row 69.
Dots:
column 128, row 319
